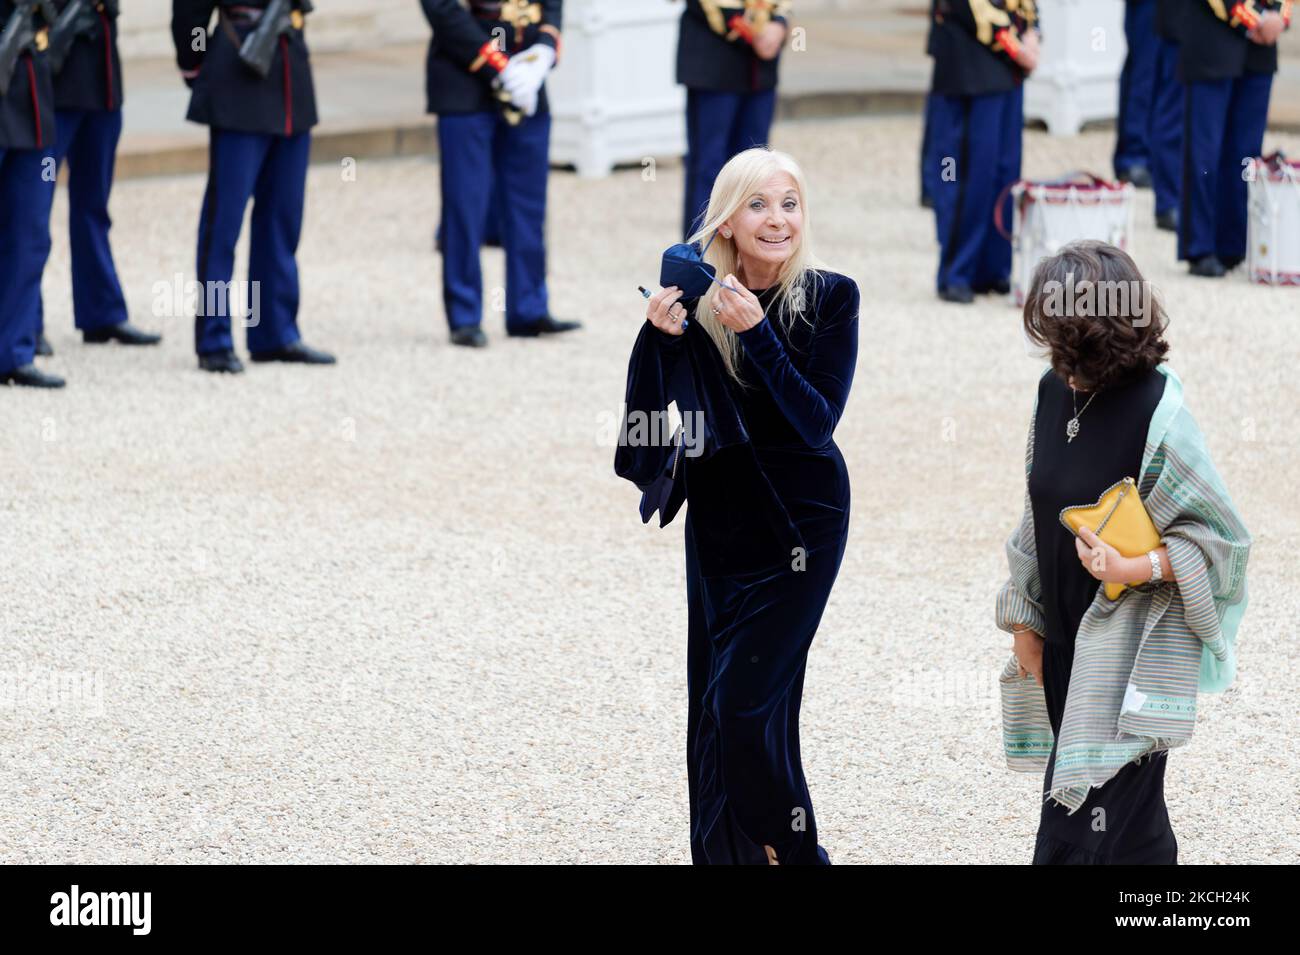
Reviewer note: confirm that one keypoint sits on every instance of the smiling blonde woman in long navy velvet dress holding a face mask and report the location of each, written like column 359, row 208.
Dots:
column 769, row 515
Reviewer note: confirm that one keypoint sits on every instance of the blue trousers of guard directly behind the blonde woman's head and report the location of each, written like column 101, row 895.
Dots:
column 720, row 125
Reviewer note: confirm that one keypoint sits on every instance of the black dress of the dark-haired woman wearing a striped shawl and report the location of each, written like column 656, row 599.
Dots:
column 1125, row 822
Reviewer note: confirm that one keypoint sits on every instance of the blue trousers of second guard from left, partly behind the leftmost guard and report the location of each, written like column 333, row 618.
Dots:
column 88, row 140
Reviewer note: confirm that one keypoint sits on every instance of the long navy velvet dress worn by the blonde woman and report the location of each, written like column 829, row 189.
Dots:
column 749, row 632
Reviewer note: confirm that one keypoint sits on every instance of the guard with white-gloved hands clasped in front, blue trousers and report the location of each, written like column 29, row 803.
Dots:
column 486, row 80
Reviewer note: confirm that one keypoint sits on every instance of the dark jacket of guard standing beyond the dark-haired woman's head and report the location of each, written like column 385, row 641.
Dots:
column 974, row 44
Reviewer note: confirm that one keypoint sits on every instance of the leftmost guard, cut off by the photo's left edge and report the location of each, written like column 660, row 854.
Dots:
column 28, row 131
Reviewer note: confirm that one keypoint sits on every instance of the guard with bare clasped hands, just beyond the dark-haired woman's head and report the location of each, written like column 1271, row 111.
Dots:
column 983, row 50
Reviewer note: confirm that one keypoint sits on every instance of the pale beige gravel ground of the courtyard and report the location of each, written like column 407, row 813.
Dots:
column 402, row 610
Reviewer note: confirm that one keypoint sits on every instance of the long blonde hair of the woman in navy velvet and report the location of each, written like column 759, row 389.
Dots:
column 739, row 180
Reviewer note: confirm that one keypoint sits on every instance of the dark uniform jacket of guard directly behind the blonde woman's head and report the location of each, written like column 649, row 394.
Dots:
column 714, row 46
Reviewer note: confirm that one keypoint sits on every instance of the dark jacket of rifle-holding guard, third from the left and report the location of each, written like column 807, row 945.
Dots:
column 231, row 95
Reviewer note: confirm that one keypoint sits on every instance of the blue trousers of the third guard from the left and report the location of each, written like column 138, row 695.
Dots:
column 272, row 171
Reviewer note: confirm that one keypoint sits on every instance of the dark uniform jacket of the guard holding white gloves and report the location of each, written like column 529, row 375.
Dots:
column 474, row 41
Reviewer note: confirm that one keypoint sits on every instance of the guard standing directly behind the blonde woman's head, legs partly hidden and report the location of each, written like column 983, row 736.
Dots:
column 729, row 53
